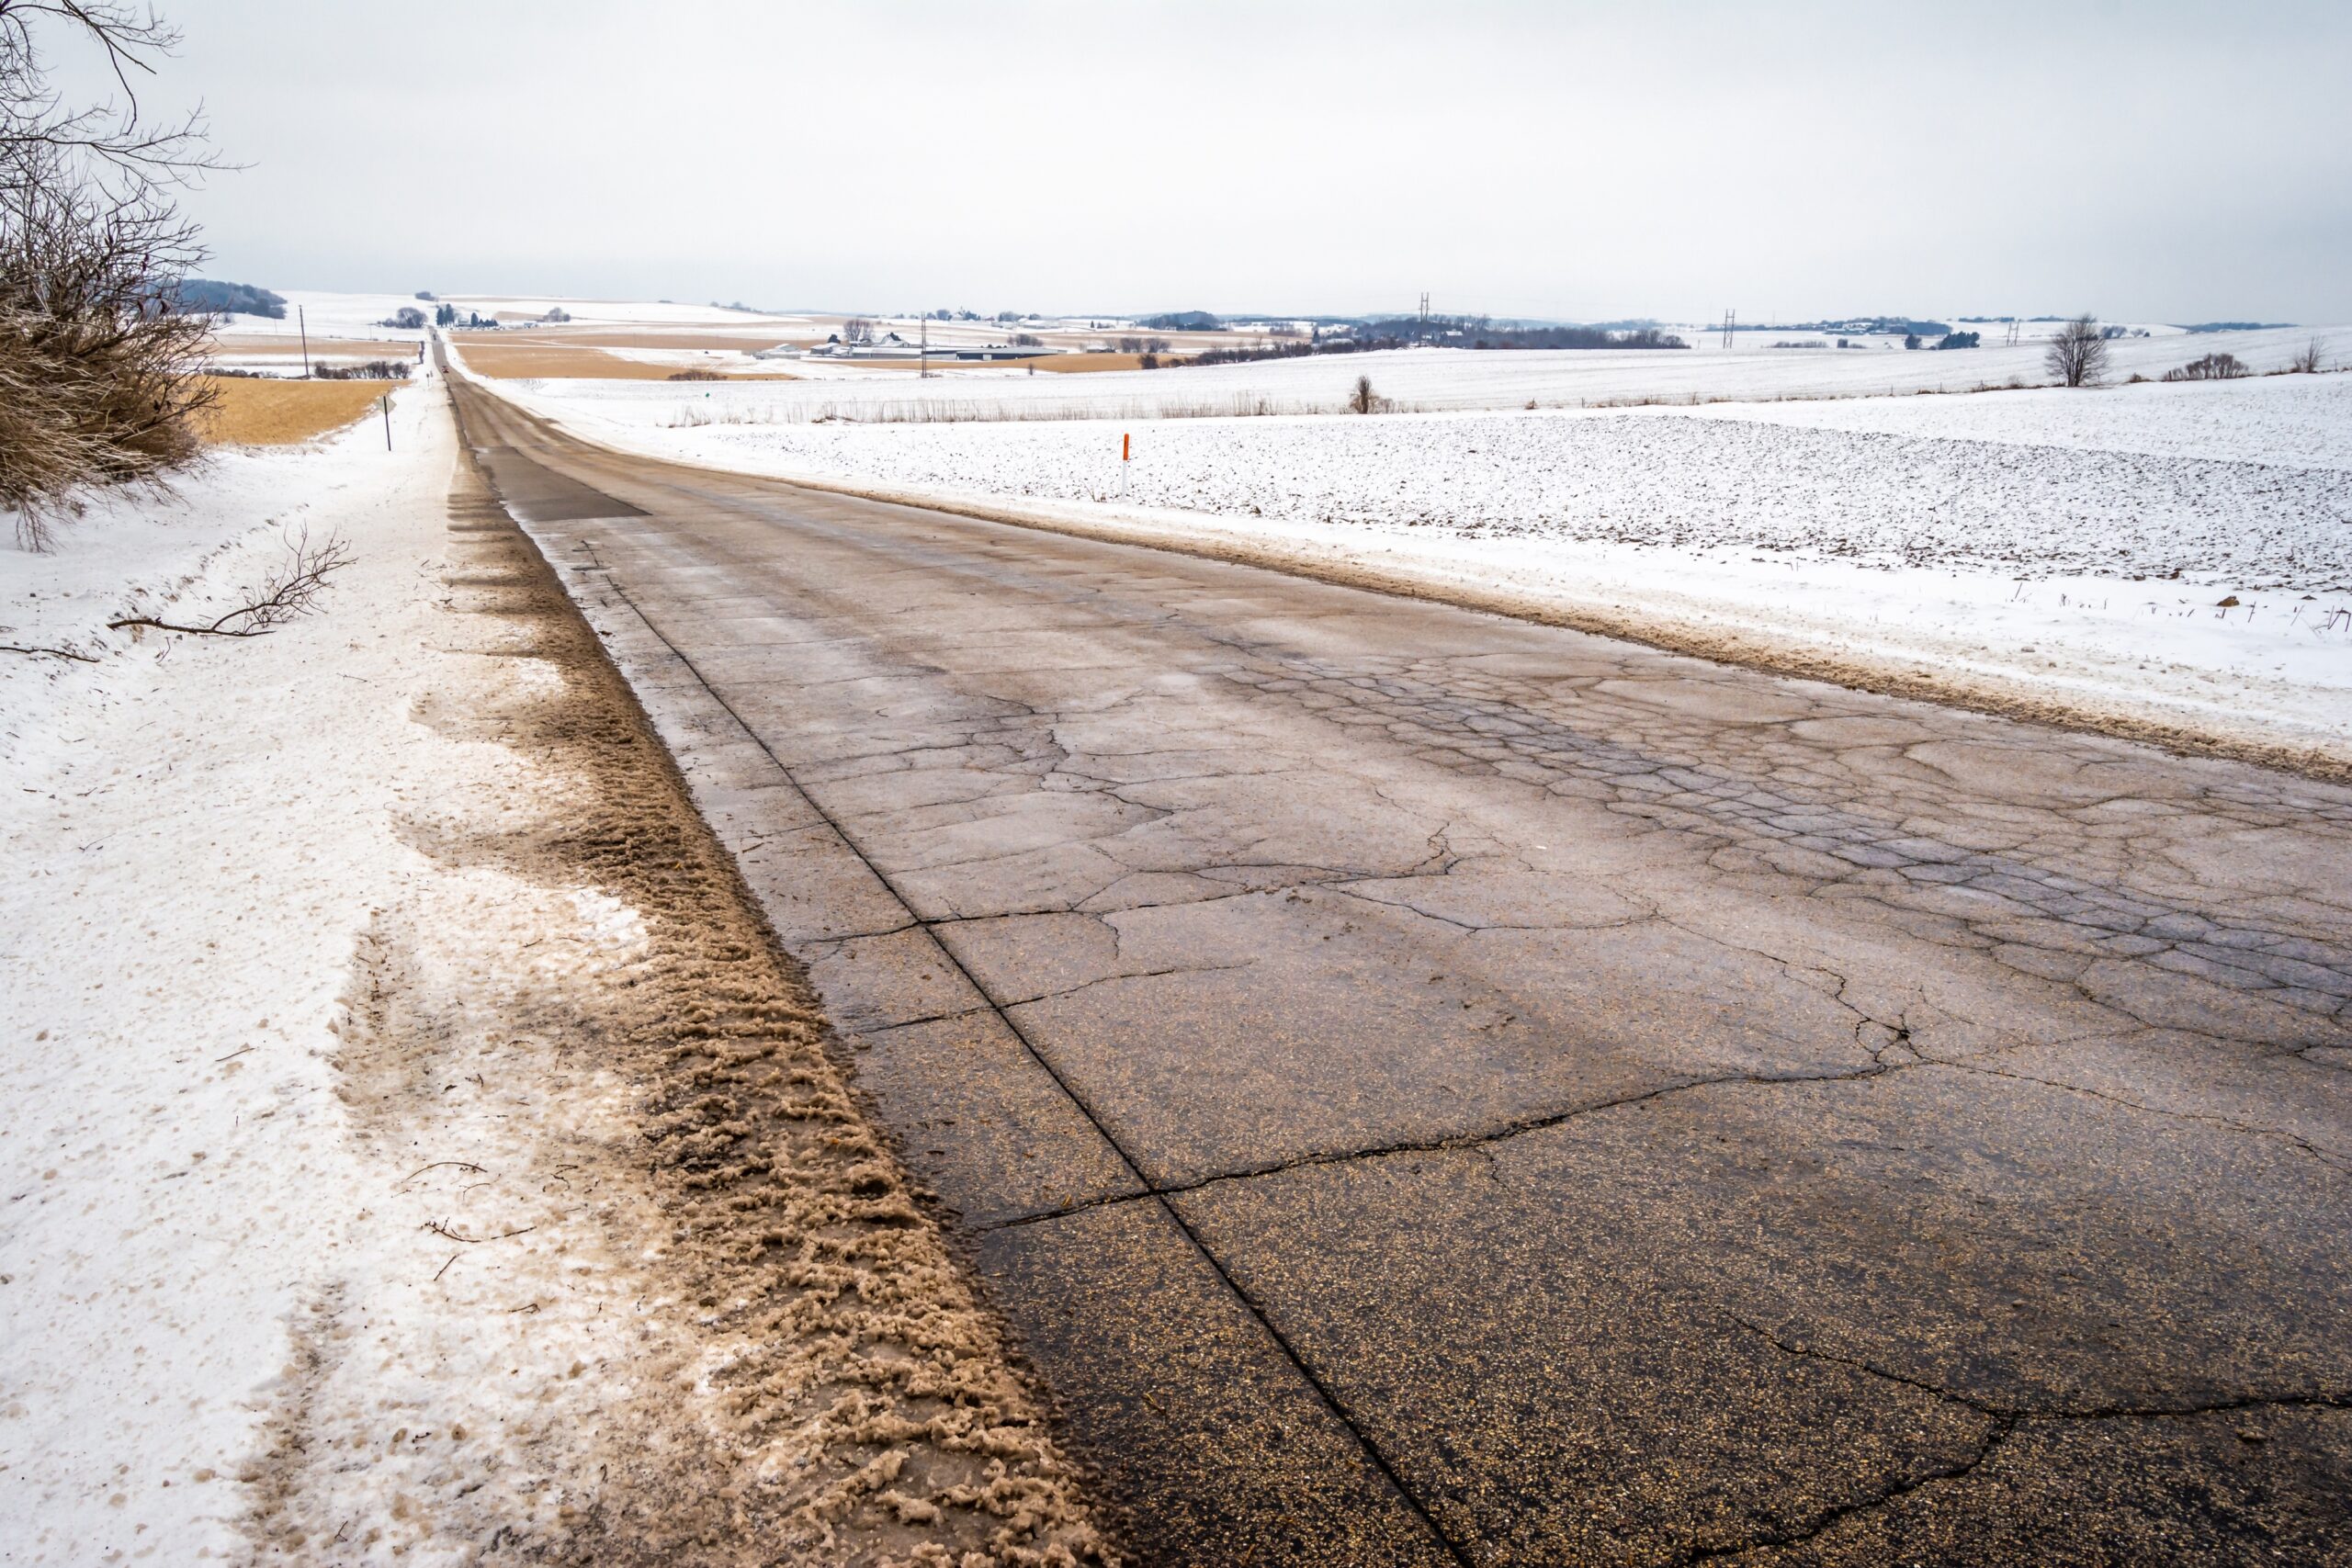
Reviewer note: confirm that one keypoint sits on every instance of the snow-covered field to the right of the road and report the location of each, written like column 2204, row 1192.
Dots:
column 2071, row 554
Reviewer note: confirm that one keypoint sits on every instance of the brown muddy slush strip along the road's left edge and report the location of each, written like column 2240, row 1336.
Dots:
column 808, row 1376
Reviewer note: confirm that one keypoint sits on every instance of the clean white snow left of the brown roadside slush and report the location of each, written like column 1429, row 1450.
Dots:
column 194, row 838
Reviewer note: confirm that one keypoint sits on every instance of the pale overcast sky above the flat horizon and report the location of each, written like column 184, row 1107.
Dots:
column 2144, row 161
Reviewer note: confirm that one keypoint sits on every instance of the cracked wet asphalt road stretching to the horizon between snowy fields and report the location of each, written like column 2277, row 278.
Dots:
column 1436, row 1090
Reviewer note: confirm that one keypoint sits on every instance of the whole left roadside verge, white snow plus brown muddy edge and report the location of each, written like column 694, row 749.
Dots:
column 330, row 1228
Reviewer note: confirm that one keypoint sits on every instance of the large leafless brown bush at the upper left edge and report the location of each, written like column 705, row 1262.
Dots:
column 98, row 370
